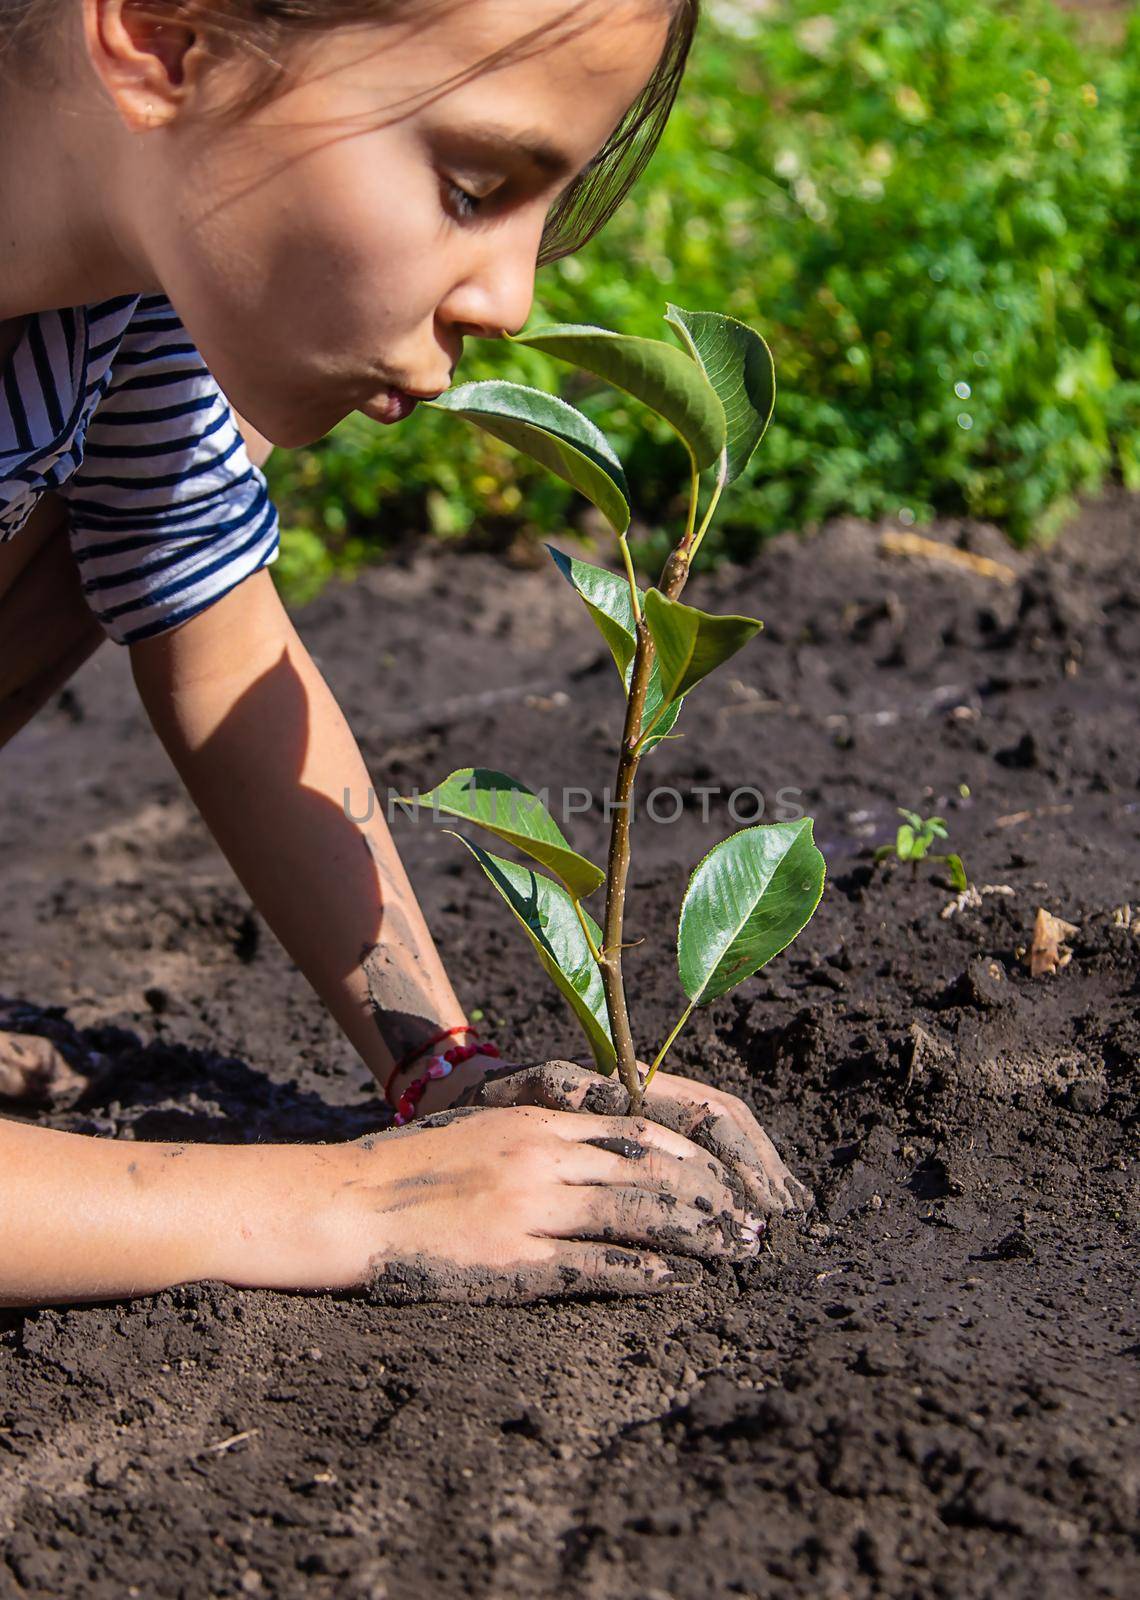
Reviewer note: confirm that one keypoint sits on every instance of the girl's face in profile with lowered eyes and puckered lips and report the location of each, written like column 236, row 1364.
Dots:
column 343, row 241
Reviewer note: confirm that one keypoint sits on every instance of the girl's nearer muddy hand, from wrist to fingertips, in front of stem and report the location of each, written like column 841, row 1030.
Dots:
column 518, row 1204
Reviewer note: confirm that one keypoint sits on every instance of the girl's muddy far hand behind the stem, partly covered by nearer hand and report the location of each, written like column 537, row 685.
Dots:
column 718, row 1122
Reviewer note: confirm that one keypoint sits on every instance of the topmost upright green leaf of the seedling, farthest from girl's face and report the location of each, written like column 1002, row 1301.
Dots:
column 741, row 367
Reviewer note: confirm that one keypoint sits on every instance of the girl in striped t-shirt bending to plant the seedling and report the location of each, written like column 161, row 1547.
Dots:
column 227, row 226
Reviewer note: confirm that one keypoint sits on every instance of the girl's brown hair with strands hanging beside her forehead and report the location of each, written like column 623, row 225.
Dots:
column 267, row 28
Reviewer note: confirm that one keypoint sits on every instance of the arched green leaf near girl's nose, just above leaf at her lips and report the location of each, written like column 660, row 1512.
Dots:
column 662, row 377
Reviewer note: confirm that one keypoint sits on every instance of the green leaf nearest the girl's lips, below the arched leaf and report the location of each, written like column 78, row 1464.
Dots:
column 553, row 434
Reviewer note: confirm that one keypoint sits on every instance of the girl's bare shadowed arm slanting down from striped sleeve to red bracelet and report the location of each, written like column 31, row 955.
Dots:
column 268, row 758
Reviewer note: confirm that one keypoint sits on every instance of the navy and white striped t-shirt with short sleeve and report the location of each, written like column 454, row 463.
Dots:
column 113, row 409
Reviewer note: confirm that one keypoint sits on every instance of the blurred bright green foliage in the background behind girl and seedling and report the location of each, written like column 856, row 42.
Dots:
column 931, row 212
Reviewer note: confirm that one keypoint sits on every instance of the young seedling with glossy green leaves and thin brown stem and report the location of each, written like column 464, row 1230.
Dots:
column 755, row 892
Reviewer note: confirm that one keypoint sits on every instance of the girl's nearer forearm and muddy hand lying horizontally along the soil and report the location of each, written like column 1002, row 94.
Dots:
column 491, row 1204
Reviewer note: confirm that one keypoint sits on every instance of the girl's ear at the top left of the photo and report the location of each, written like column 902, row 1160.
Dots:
column 147, row 57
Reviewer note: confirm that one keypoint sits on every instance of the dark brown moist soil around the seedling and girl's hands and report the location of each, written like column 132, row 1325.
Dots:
column 926, row 1388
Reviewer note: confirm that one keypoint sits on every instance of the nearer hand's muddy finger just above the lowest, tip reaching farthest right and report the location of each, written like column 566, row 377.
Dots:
column 651, row 1217
